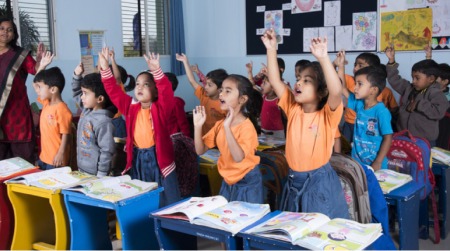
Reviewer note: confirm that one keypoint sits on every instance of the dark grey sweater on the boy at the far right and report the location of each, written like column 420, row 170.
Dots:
column 431, row 107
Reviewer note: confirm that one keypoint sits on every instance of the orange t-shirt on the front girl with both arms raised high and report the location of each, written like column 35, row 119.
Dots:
column 310, row 136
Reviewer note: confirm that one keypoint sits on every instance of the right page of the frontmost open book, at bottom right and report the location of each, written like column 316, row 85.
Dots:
column 341, row 234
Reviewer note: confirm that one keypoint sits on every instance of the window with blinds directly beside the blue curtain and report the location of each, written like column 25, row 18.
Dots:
column 136, row 31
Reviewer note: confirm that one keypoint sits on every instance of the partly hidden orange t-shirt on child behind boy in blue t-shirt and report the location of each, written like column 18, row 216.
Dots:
column 385, row 96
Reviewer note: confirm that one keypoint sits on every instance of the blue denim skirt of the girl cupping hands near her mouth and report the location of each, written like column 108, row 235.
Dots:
column 248, row 189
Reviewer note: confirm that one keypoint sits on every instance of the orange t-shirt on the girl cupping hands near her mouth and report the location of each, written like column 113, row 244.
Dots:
column 247, row 138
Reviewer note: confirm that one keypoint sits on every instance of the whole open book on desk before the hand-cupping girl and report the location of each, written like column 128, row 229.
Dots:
column 216, row 212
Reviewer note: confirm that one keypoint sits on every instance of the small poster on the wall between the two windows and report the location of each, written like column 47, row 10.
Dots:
column 91, row 43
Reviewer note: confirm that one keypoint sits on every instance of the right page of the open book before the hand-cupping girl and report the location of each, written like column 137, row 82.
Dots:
column 233, row 216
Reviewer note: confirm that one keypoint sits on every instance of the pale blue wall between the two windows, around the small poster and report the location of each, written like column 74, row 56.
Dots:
column 74, row 16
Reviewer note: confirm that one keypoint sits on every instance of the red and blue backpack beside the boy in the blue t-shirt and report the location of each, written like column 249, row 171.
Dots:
column 412, row 155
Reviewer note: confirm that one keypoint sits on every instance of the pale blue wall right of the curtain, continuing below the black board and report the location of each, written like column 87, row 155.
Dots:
column 216, row 38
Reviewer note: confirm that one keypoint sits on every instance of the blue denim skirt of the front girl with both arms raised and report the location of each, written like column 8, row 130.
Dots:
column 317, row 191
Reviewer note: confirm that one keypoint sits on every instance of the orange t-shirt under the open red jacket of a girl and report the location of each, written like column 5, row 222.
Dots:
column 143, row 130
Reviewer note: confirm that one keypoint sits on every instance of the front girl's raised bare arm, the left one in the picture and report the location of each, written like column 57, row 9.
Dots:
column 270, row 41
